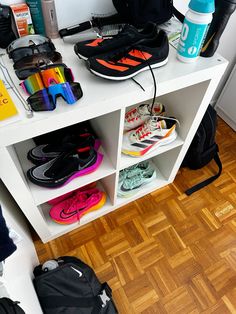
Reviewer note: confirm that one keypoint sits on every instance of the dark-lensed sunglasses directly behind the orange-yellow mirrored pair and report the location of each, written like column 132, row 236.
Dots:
column 33, row 64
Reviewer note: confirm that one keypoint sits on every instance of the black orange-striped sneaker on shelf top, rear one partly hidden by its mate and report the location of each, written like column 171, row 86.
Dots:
column 127, row 37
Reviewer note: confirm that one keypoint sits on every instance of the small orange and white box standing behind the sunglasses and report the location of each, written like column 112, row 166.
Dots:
column 22, row 19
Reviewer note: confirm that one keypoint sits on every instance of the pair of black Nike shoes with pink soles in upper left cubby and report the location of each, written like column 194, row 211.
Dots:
column 57, row 164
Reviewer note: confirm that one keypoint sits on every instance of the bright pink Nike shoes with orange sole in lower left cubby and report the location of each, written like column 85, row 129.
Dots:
column 72, row 206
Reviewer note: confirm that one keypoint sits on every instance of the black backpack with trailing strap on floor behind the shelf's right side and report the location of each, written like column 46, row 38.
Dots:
column 203, row 148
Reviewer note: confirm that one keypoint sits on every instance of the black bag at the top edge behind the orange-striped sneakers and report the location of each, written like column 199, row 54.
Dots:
column 139, row 12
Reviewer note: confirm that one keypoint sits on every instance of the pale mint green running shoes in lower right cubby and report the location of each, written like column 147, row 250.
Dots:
column 132, row 179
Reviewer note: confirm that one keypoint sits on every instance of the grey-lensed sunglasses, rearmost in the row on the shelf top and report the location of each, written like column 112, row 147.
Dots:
column 19, row 53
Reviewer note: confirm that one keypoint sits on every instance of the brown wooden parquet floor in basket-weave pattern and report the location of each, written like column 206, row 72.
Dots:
column 167, row 252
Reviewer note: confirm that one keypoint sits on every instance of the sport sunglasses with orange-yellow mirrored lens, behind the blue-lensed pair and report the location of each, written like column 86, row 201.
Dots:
column 54, row 74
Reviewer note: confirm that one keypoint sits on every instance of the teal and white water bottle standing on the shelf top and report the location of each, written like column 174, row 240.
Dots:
column 194, row 29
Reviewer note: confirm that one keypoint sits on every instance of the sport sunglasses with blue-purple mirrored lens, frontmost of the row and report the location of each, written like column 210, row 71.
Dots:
column 45, row 99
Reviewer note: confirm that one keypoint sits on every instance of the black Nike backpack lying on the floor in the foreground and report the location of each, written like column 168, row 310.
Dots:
column 72, row 288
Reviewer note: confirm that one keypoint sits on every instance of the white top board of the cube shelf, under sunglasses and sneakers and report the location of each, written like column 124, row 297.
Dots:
column 102, row 96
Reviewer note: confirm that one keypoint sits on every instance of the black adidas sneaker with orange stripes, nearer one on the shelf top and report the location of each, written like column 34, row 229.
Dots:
column 122, row 65
